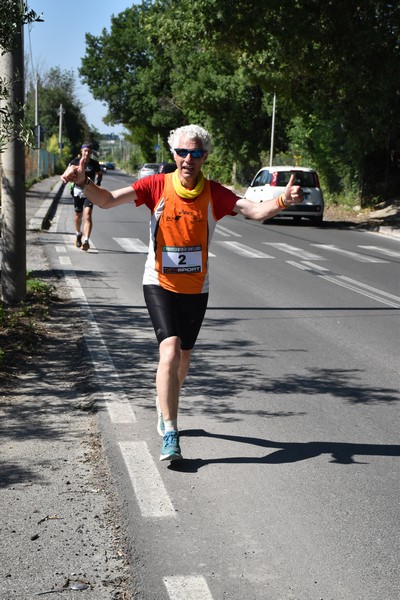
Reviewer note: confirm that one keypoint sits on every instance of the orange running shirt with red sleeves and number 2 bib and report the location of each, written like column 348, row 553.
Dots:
column 180, row 232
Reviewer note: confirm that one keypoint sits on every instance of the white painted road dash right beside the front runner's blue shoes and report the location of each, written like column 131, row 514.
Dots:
column 150, row 492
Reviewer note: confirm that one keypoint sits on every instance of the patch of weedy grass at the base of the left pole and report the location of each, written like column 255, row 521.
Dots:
column 22, row 327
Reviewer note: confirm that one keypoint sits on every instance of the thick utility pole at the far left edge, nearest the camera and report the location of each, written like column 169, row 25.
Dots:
column 13, row 265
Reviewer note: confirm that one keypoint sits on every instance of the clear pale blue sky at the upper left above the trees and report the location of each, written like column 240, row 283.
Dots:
column 60, row 42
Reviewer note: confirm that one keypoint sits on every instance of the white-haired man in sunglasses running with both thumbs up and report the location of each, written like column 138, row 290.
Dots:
column 185, row 207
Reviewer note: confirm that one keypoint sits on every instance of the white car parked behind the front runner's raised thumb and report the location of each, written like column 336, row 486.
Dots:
column 270, row 182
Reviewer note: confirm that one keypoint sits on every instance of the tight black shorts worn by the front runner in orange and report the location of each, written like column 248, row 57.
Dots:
column 174, row 314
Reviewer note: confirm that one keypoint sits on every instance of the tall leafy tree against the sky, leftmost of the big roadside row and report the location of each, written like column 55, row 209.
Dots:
column 131, row 75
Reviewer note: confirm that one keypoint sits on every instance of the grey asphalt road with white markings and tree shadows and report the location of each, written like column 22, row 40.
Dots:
column 289, row 486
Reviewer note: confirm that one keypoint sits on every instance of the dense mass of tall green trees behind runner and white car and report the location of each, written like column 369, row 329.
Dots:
column 334, row 66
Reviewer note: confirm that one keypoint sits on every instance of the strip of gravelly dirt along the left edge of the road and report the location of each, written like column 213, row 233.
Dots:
column 61, row 527
